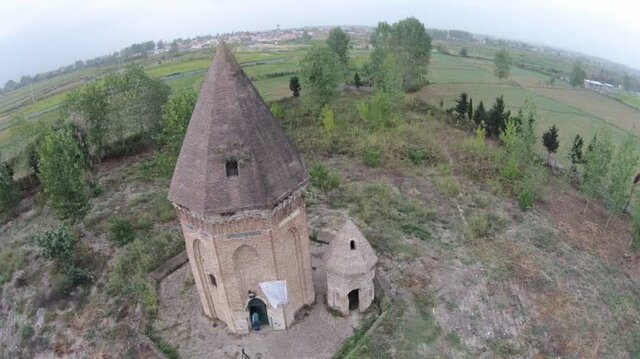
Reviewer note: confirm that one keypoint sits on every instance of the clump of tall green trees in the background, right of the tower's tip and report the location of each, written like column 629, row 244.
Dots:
column 398, row 63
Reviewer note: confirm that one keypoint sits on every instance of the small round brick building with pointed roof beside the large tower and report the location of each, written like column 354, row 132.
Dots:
column 350, row 264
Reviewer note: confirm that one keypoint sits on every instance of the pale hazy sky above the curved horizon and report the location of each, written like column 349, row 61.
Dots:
column 37, row 36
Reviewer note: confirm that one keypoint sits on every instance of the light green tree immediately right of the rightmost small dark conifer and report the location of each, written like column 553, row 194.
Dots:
column 597, row 160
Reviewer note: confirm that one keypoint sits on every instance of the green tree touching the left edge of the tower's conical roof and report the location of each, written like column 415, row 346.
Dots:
column 176, row 114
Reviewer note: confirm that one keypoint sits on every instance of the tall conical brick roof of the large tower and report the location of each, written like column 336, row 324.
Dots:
column 231, row 122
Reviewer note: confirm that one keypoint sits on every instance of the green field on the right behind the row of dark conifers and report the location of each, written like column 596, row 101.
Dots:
column 573, row 111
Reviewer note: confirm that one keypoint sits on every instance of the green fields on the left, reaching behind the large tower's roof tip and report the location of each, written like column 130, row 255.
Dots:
column 269, row 69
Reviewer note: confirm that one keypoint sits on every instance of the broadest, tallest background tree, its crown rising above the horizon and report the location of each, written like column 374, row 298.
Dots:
column 409, row 42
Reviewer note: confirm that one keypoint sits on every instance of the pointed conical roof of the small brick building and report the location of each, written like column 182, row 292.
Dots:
column 349, row 252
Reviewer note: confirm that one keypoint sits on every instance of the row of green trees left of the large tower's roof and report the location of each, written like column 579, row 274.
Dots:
column 123, row 112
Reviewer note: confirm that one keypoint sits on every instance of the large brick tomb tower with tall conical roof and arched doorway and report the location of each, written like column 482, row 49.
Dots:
column 237, row 189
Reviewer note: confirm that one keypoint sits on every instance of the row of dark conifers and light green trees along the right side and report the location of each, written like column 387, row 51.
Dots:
column 601, row 170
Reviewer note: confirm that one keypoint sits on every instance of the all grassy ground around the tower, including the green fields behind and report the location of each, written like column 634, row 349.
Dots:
column 472, row 275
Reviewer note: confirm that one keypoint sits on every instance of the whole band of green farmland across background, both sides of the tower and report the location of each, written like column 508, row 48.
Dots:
column 573, row 111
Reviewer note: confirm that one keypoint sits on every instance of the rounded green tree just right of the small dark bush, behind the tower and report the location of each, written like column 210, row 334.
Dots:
column 321, row 76
